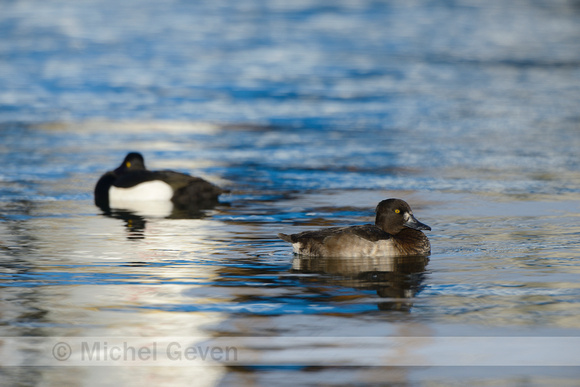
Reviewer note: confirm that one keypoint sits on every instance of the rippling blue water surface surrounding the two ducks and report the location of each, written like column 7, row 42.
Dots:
column 310, row 113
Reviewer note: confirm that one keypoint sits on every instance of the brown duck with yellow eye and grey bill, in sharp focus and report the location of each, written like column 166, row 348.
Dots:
column 396, row 232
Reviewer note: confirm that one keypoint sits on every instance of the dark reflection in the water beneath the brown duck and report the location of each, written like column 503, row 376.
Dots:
column 397, row 279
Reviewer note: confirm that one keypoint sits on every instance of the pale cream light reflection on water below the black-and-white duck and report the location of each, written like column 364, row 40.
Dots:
column 103, row 276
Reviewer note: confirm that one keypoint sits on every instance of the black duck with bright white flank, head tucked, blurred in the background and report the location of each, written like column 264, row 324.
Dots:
column 132, row 182
